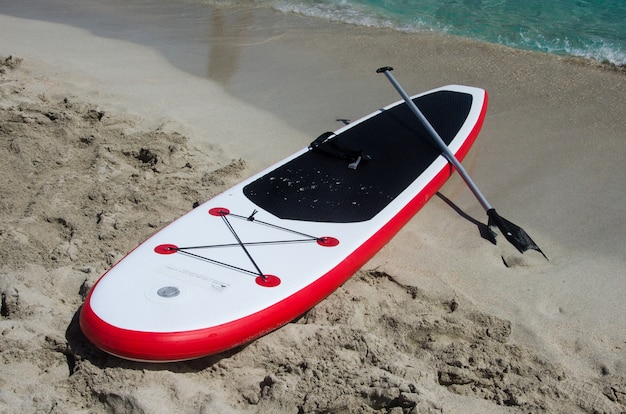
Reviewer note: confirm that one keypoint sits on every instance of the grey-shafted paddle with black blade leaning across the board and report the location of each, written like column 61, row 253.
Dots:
column 513, row 233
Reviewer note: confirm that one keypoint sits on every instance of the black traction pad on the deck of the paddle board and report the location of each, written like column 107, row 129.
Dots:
column 317, row 187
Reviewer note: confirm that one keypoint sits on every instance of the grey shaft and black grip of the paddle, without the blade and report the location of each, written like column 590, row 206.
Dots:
column 435, row 135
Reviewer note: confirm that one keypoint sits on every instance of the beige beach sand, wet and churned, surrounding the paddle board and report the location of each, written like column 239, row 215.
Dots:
column 107, row 134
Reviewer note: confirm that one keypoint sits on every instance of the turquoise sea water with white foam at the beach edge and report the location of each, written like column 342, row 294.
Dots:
column 589, row 28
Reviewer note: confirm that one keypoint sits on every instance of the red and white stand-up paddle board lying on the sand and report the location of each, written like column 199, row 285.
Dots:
column 264, row 252
